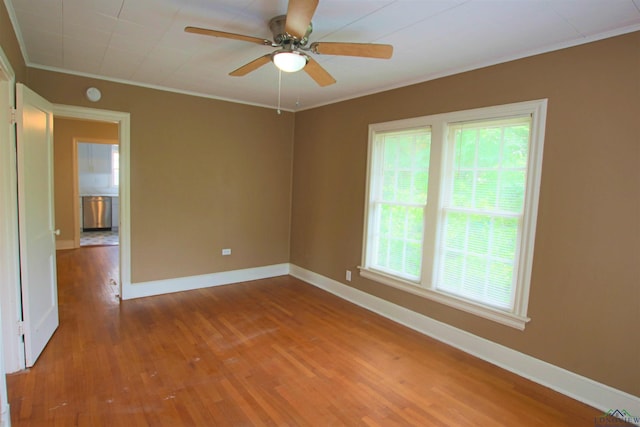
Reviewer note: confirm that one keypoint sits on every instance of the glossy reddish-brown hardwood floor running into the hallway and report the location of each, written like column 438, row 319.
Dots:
column 269, row 352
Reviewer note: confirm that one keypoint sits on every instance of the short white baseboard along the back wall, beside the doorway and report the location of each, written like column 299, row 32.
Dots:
column 157, row 287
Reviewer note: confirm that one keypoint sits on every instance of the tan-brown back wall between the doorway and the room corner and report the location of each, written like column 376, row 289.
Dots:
column 205, row 175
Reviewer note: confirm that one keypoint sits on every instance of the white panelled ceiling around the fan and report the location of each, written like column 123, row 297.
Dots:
column 143, row 41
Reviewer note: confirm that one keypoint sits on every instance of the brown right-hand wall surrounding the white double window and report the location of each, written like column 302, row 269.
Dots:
column 585, row 290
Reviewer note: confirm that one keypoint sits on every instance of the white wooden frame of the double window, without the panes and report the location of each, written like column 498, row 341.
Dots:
column 516, row 316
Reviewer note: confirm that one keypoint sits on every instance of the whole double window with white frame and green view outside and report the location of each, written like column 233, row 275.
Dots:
column 452, row 204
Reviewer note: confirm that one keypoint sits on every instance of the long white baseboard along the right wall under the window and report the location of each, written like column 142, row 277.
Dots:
column 580, row 388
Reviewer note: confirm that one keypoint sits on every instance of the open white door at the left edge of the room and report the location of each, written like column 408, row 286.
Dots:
column 36, row 221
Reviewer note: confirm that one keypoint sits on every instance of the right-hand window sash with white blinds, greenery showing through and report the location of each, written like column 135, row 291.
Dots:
column 482, row 210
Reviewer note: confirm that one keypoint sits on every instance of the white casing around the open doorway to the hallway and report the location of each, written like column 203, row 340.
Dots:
column 123, row 120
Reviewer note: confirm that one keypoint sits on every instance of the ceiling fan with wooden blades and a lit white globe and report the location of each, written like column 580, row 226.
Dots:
column 291, row 35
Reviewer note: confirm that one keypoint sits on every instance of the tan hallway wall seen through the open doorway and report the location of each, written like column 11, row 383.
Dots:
column 65, row 130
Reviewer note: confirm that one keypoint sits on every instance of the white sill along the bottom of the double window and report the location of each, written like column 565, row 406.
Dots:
column 499, row 316
